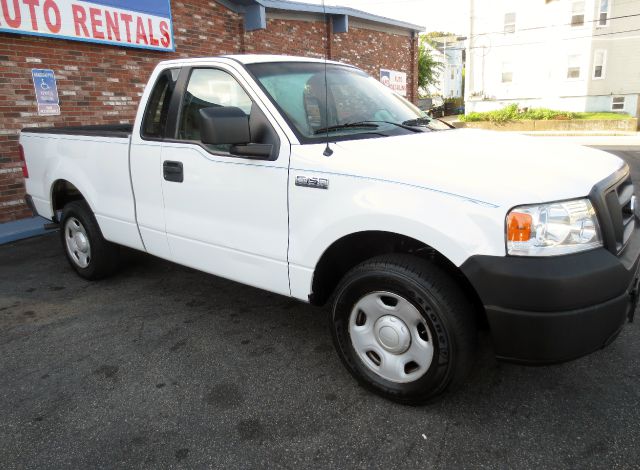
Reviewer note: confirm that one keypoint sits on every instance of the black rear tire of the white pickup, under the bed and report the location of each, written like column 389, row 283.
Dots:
column 103, row 256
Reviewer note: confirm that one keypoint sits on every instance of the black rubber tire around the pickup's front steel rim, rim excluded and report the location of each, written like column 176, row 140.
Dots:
column 439, row 301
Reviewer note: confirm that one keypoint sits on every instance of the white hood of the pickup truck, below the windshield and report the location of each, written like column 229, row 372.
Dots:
column 489, row 167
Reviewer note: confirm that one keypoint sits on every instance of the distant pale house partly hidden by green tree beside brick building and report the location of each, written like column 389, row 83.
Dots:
column 449, row 51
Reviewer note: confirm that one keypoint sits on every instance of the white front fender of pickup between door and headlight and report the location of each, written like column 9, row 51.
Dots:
column 454, row 226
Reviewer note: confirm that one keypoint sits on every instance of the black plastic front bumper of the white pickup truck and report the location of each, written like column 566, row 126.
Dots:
column 546, row 310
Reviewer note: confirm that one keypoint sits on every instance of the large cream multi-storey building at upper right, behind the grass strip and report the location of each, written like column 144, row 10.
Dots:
column 573, row 55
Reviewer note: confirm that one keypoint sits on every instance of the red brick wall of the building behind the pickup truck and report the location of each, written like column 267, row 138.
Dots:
column 102, row 84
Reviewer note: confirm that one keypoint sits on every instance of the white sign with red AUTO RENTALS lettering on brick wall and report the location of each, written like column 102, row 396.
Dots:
column 131, row 23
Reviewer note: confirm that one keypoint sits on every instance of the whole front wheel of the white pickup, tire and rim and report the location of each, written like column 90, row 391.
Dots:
column 403, row 328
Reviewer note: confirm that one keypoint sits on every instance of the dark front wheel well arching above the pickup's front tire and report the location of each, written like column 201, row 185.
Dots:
column 353, row 249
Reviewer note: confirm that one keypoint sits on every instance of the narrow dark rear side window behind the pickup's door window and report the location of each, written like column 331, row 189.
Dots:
column 155, row 118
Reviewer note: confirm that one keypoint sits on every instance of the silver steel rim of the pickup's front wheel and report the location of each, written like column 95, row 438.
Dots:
column 391, row 337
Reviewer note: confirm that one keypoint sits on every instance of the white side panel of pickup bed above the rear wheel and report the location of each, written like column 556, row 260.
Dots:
column 97, row 166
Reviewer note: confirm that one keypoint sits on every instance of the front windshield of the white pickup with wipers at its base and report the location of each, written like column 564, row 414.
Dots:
column 356, row 106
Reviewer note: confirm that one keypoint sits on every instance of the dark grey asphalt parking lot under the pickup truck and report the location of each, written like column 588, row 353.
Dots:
column 163, row 366
